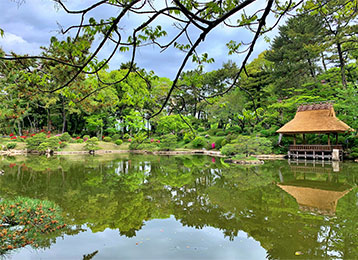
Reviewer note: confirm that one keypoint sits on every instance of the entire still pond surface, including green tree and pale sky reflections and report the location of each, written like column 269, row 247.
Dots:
column 188, row 207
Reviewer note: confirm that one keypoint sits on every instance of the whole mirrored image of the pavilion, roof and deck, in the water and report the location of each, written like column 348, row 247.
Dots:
column 315, row 195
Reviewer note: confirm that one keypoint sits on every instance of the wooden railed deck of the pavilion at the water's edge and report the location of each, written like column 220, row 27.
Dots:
column 314, row 151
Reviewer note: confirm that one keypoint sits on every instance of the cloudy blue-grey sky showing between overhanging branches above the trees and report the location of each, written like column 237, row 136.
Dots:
column 31, row 24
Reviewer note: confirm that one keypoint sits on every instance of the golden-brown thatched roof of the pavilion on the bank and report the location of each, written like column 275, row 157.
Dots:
column 315, row 118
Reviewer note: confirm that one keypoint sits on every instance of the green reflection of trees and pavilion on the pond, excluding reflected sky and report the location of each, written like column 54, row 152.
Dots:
column 267, row 202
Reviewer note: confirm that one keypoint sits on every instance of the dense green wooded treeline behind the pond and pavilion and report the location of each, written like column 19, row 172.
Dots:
column 313, row 58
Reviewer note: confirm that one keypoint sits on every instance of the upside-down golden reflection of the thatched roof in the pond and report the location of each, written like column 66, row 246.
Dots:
column 315, row 200
